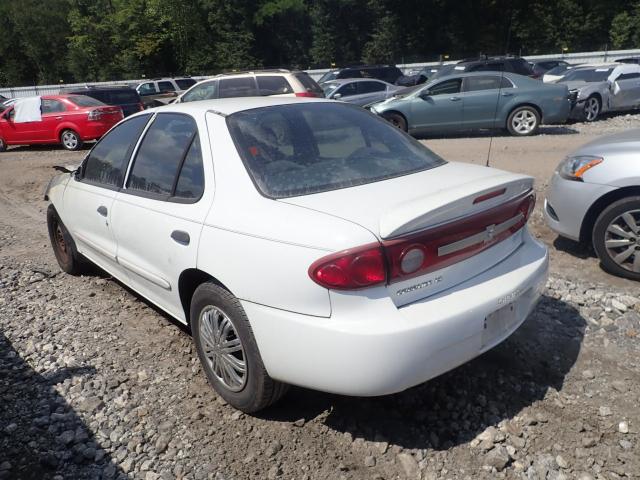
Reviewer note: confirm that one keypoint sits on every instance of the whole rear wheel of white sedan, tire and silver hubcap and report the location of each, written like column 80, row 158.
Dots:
column 228, row 350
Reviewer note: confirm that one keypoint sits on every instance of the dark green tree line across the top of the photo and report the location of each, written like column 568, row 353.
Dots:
column 51, row 41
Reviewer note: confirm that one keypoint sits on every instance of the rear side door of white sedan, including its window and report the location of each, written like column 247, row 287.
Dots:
column 157, row 217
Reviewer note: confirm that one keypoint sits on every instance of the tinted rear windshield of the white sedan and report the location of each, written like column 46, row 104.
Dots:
column 293, row 150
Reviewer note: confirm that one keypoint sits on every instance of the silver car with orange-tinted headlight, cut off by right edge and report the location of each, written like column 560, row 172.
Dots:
column 594, row 197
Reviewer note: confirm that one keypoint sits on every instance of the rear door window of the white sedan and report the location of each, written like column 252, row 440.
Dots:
column 161, row 153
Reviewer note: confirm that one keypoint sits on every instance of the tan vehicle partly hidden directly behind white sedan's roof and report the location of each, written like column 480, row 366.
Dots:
column 251, row 84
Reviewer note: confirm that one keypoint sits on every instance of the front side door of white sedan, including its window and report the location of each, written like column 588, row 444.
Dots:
column 90, row 193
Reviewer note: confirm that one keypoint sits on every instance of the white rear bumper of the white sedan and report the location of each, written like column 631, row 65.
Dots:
column 370, row 347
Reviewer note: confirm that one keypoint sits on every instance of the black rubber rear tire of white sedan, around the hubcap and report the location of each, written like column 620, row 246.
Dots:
column 258, row 390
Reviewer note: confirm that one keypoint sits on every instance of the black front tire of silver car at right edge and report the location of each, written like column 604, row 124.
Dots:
column 611, row 216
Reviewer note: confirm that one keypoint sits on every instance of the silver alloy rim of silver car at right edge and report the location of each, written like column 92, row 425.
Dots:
column 622, row 240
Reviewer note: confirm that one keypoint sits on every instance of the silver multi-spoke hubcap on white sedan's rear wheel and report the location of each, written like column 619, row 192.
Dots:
column 223, row 348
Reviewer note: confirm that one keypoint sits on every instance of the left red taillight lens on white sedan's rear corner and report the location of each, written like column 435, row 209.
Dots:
column 350, row 269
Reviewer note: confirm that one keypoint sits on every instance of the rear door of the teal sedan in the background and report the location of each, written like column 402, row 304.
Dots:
column 481, row 97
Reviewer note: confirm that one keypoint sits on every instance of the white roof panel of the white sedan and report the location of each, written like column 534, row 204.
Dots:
column 228, row 106
